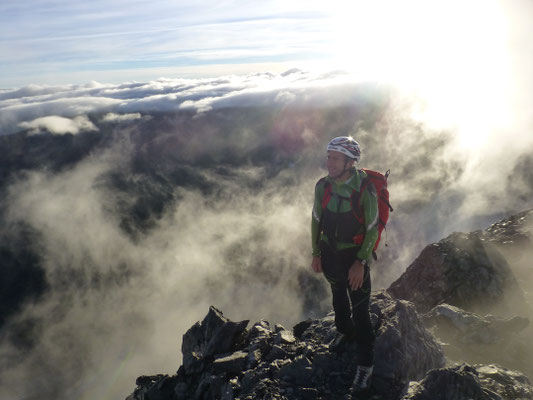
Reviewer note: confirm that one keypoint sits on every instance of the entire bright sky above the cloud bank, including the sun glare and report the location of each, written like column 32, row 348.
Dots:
column 413, row 41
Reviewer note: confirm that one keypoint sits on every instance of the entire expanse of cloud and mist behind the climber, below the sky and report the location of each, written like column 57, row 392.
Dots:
column 179, row 194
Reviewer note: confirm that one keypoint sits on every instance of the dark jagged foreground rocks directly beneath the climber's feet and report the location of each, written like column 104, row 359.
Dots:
column 223, row 359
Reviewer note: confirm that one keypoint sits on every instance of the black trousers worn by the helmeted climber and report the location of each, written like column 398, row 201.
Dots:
column 353, row 320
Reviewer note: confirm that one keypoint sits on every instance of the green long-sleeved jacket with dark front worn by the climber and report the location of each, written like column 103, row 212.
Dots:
column 369, row 205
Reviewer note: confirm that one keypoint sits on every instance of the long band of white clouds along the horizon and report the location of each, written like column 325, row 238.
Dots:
column 22, row 106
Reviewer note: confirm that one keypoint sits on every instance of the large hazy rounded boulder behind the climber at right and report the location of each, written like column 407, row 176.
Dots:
column 462, row 270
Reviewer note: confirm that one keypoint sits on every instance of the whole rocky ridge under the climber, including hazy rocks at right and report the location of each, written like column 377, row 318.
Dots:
column 416, row 326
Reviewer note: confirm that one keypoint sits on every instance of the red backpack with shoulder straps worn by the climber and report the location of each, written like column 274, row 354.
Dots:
column 380, row 183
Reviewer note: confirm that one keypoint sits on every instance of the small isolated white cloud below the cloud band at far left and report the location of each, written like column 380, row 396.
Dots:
column 59, row 125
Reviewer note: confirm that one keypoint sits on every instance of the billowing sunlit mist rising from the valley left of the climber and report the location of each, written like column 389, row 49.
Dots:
column 116, row 302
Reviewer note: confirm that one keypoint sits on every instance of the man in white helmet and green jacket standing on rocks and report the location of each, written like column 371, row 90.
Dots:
column 342, row 246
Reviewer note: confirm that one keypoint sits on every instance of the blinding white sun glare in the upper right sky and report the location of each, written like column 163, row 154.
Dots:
column 452, row 54
